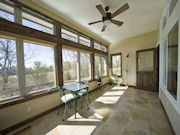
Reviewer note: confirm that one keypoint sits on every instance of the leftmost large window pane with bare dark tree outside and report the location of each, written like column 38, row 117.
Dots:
column 8, row 69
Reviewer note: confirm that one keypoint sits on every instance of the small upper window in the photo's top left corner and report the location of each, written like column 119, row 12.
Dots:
column 6, row 12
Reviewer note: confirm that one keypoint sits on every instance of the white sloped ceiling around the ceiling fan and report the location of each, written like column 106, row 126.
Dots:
column 142, row 16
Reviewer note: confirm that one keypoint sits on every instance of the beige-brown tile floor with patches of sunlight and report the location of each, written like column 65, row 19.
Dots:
column 113, row 111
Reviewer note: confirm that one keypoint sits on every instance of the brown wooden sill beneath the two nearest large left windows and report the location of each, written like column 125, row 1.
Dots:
column 21, row 99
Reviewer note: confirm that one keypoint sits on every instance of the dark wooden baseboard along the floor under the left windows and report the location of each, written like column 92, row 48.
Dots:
column 27, row 121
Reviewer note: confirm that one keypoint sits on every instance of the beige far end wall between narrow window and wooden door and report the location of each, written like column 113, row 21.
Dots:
column 130, row 46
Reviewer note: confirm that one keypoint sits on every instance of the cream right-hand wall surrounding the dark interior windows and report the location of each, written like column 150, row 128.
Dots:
column 171, row 105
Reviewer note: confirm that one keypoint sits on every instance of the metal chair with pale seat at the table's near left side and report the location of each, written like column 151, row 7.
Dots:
column 66, row 98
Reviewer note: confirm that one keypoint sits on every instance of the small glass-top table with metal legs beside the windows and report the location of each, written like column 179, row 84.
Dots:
column 75, row 88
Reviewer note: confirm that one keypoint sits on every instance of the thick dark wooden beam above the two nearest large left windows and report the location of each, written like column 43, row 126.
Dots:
column 10, row 28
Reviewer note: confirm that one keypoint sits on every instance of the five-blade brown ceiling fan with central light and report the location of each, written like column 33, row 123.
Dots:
column 107, row 16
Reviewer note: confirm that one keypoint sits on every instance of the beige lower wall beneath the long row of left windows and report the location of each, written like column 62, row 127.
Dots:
column 22, row 111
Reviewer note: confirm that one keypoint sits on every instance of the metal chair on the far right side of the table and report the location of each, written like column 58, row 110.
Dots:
column 83, row 92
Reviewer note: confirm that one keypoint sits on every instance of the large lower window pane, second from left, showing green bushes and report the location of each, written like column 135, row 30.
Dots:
column 39, row 68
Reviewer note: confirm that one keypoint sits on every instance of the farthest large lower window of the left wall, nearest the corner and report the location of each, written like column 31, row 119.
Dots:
column 100, row 66
